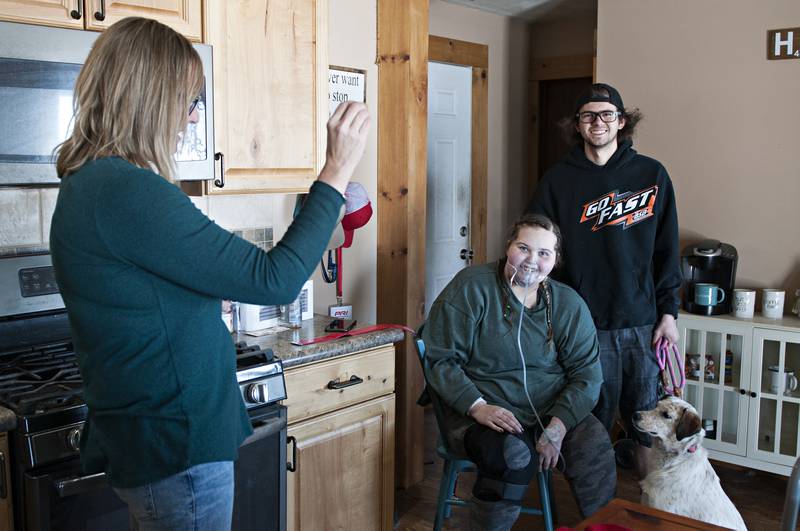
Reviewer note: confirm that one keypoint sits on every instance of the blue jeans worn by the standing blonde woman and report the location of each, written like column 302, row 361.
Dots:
column 200, row 498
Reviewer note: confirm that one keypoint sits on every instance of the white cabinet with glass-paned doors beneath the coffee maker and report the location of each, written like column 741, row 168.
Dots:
column 752, row 415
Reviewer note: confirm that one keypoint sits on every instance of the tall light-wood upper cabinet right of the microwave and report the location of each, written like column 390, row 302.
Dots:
column 270, row 82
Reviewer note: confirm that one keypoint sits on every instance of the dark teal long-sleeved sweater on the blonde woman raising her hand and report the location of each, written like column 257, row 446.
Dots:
column 142, row 272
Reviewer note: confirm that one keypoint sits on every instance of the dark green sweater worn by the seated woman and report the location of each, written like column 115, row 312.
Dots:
column 471, row 349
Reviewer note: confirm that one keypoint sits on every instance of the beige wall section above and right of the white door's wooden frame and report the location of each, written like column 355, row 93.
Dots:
column 508, row 43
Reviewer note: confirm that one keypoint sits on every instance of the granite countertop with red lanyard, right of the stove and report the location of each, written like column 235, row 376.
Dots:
column 293, row 355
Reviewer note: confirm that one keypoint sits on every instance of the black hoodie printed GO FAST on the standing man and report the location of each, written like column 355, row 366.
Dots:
column 620, row 234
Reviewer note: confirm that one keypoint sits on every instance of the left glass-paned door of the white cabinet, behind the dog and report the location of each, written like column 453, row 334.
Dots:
column 717, row 367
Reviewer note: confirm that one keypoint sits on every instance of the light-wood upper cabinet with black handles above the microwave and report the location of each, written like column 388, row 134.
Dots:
column 185, row 16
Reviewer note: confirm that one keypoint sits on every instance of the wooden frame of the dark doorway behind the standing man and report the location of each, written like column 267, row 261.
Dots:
column 547, row 69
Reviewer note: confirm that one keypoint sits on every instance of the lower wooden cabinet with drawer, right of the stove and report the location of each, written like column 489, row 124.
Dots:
column 342, row 443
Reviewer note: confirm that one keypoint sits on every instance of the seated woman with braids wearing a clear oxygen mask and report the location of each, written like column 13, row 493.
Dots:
column 511, row 421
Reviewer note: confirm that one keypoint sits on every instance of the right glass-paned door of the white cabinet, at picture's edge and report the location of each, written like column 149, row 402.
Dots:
column 776, row 406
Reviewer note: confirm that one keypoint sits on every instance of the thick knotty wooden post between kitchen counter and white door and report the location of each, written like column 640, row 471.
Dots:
column 402, row 164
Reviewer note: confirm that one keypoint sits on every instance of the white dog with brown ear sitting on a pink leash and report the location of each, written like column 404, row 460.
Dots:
column 680, row 478
